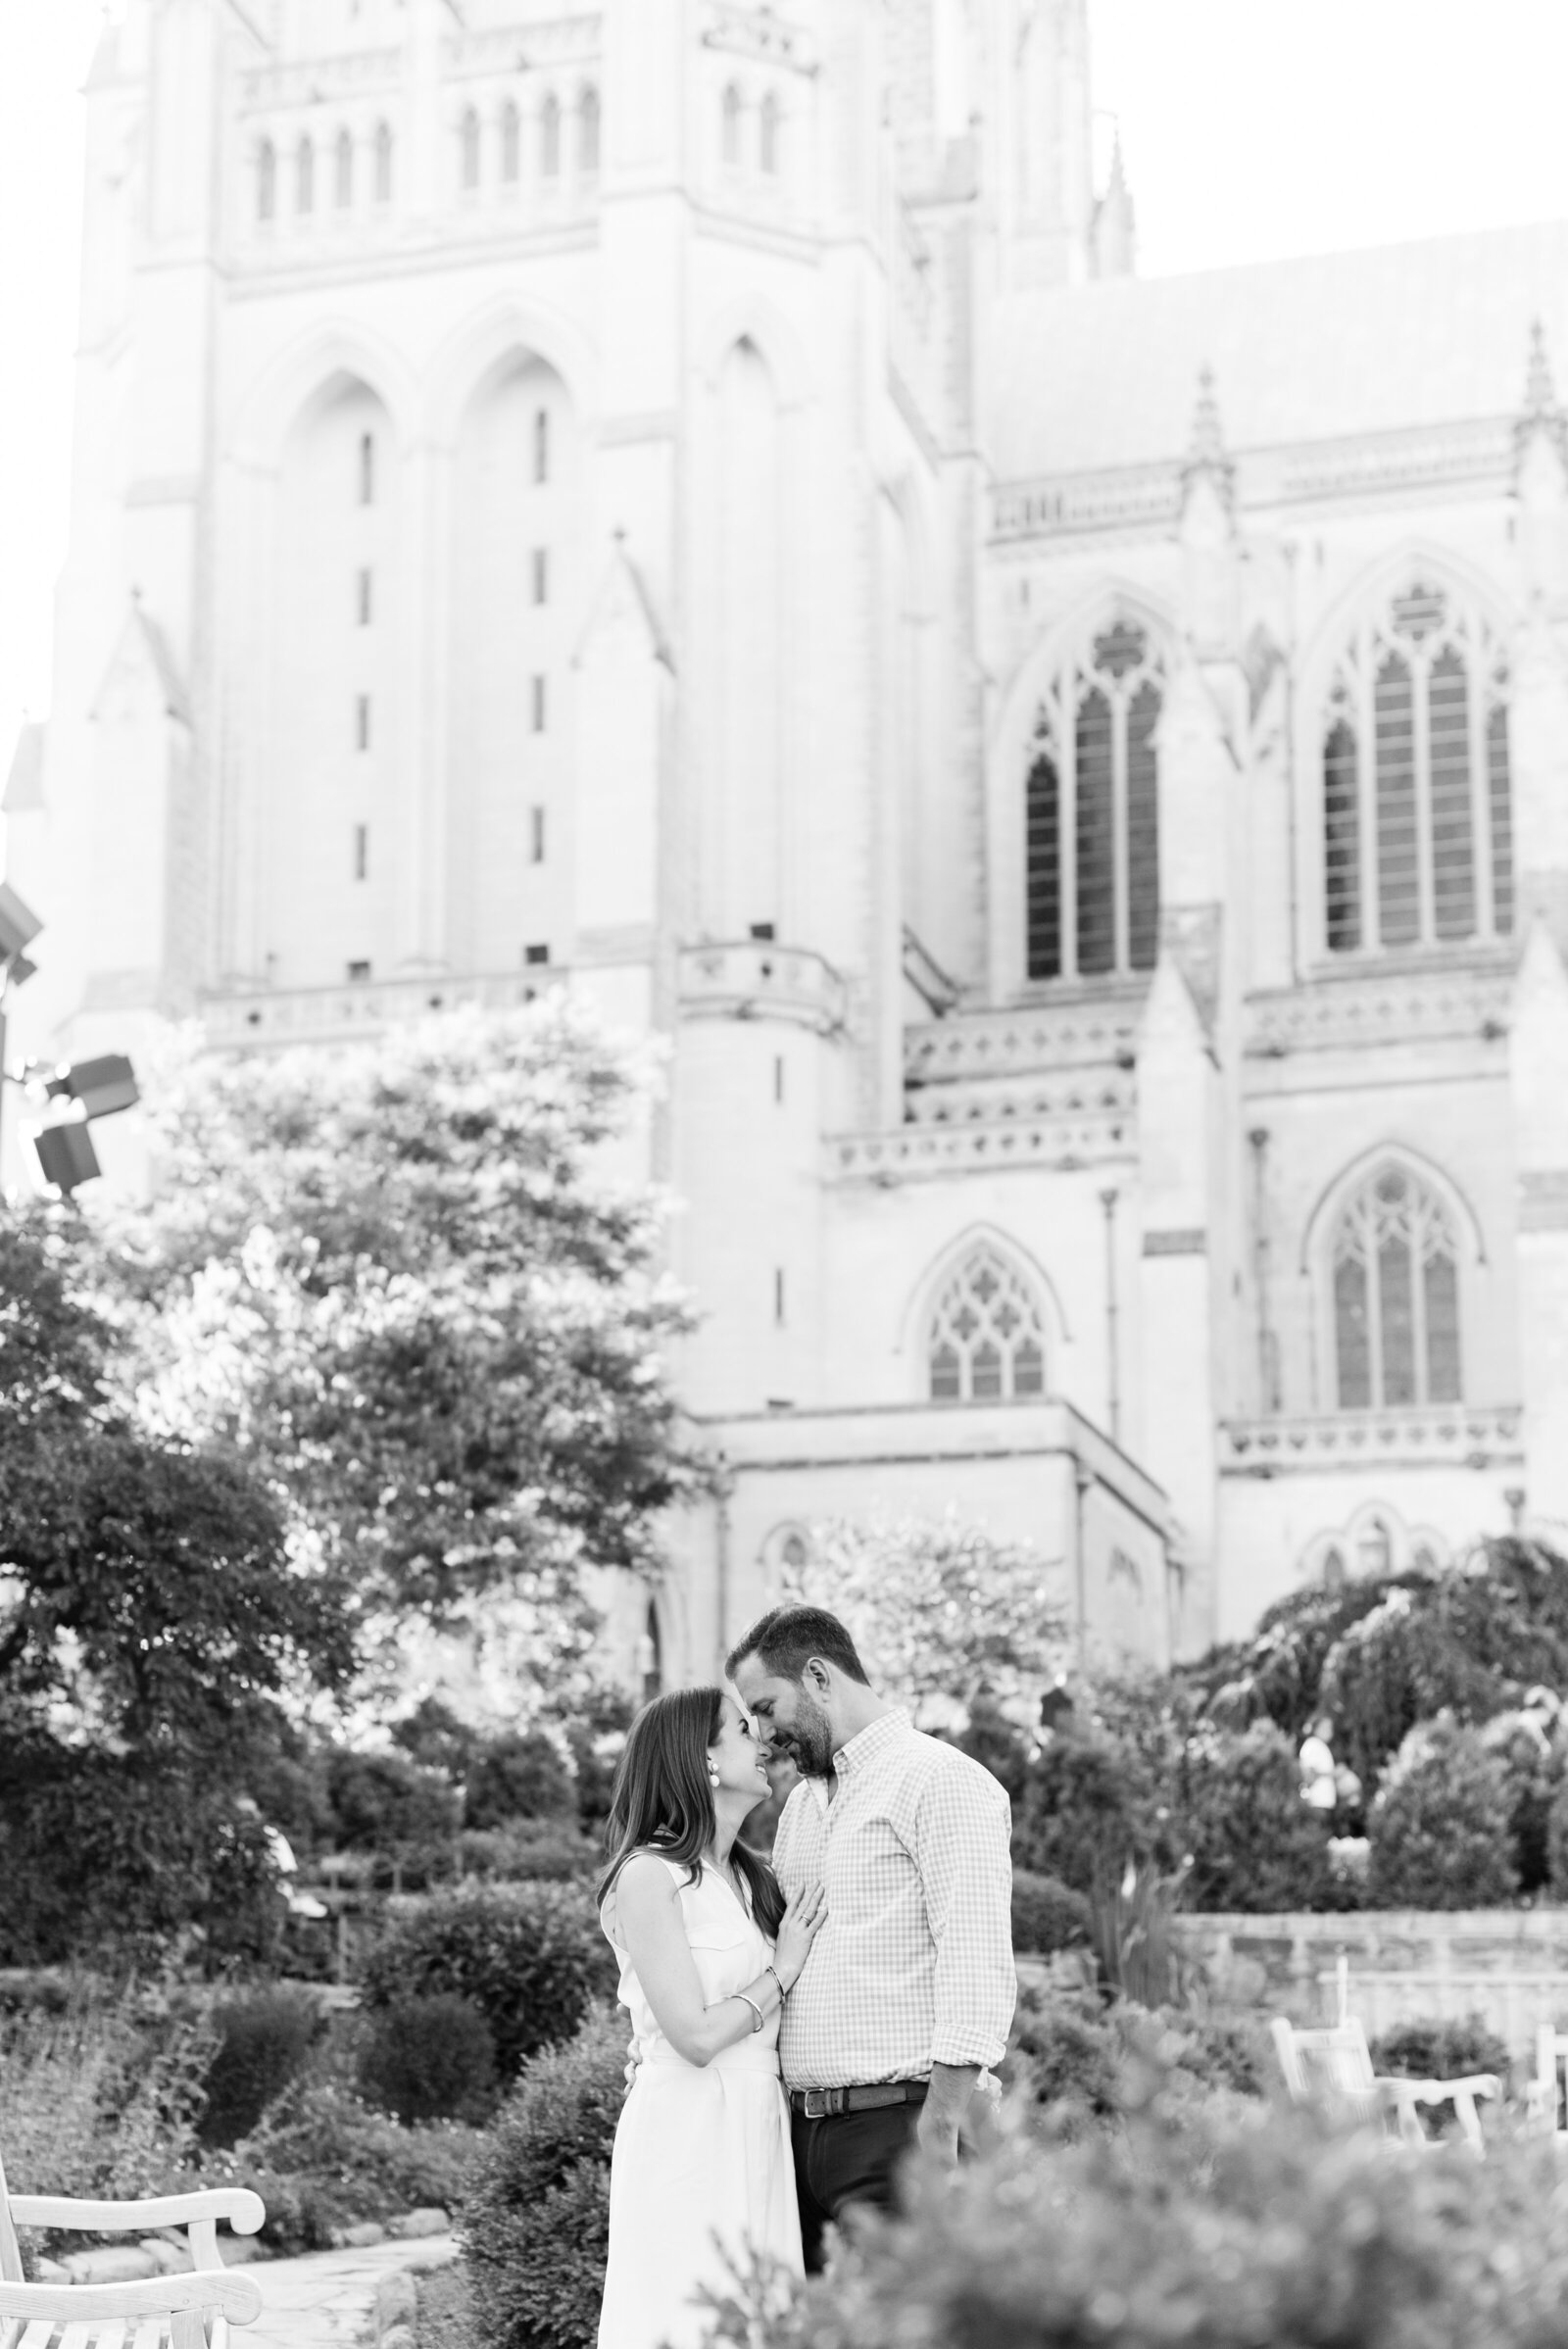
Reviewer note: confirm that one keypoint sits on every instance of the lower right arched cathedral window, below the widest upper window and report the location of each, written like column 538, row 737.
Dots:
column 1395, row 1284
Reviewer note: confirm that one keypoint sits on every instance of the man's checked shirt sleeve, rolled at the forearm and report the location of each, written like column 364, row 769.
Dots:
column 964, row 1836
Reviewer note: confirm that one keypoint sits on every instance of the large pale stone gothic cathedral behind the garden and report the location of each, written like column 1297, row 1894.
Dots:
column 689, row 502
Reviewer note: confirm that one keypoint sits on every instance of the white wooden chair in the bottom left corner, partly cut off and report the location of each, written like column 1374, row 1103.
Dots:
column 191, row 2310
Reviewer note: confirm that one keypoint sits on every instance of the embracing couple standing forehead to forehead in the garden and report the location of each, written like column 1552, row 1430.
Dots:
column 797, row 2028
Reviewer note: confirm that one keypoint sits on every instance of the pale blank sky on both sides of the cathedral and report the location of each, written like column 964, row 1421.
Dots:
column 1250, row 128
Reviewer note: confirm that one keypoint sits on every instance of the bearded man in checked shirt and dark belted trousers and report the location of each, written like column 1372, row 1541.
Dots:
column 910, row 1988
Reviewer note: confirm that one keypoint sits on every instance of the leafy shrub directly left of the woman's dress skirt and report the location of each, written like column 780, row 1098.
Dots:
column 539, row 2214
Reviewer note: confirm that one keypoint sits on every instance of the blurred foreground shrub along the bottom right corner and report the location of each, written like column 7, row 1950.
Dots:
column 1222, row 2226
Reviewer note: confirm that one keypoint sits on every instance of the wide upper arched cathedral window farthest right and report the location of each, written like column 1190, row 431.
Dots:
column 1417, row 781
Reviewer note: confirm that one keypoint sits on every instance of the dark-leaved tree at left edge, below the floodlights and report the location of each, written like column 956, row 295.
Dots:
column 151, row 1622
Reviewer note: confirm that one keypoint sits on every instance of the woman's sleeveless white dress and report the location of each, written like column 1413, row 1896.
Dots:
column 703, row 2174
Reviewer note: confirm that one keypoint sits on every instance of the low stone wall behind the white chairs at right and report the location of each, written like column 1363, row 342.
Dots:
column 1405, row 1965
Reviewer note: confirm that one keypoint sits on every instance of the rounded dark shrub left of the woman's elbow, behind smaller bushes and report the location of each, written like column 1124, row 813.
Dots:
column 529, row 1956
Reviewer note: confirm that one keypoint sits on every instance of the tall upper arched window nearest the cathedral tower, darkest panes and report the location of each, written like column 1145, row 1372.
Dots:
column 1093, row 816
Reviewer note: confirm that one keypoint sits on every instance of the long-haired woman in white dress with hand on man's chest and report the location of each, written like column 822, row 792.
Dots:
column 708, row 1956
